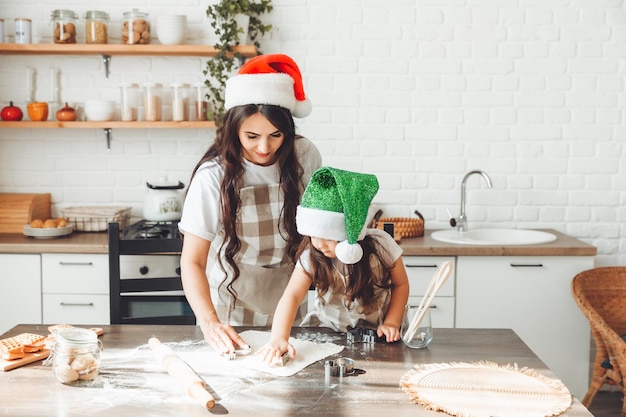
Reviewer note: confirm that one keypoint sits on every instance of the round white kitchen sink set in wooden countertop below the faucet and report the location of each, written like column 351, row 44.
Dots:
column 494, row 237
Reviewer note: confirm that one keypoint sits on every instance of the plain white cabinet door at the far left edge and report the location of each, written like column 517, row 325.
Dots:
column 20, row 298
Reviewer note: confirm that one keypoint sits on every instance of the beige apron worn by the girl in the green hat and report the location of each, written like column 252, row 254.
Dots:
column 333, row 311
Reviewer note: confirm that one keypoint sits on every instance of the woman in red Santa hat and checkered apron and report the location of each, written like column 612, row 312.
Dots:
column 238, row 219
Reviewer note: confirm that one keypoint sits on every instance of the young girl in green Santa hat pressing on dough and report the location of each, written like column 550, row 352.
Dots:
column 359, row 278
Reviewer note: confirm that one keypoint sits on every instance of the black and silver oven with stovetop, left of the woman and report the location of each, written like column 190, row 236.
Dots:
column 144, row 275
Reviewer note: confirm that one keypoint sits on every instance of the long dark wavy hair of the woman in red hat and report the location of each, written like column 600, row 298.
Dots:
column 227, row 151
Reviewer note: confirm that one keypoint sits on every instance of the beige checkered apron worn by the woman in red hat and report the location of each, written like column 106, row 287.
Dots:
column 264, row 266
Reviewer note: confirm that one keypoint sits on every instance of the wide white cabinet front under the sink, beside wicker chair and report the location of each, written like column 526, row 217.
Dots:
column 532, row 296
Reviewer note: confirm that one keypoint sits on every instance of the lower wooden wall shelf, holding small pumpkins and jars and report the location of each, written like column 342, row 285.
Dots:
column 107, row 125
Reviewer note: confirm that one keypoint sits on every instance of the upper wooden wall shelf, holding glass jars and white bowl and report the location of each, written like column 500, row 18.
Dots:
column 111, row 49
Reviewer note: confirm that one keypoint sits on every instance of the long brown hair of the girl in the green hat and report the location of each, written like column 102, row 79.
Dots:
column 363, row 280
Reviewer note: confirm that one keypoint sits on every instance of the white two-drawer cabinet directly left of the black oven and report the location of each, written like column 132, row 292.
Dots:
column 75, row 288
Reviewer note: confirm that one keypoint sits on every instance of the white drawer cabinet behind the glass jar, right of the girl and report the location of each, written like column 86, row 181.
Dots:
column 420, row 270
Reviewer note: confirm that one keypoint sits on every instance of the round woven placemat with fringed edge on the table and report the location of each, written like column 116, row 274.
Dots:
column 485, row 389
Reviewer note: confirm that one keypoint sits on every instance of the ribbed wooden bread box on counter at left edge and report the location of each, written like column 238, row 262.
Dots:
column 18, row 210
